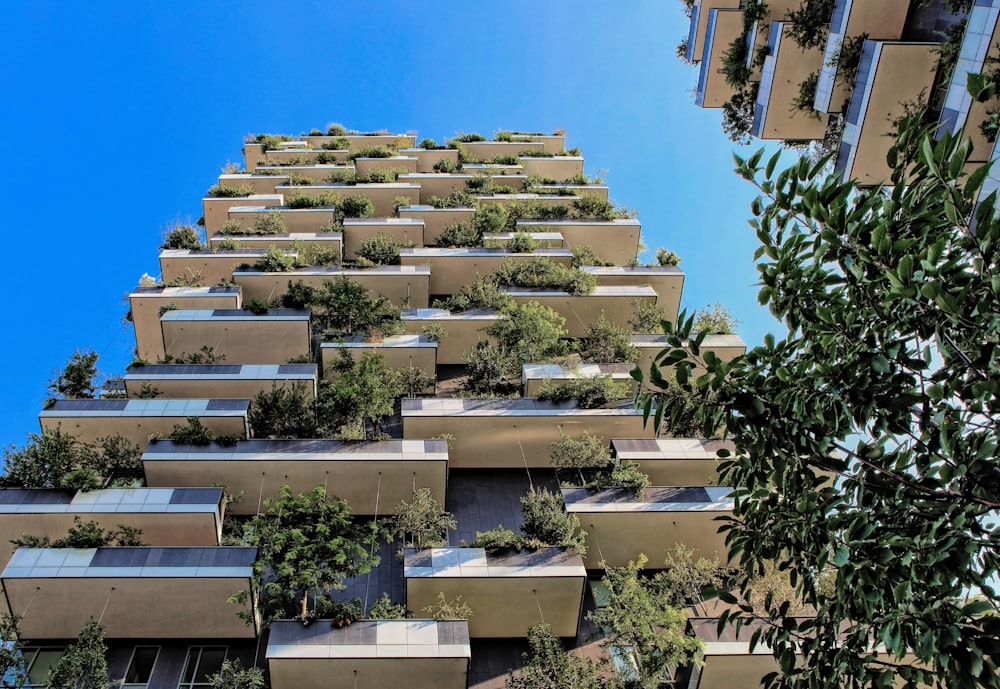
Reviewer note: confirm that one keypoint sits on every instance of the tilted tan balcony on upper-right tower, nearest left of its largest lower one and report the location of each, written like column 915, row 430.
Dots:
column 786, row 67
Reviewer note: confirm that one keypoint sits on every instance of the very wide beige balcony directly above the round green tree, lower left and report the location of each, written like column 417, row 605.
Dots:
column 373, row 477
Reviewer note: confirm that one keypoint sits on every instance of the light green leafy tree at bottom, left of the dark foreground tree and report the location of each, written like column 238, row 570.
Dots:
column 638, row 617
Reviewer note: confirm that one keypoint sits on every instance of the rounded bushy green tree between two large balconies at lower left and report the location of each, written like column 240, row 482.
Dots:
column 306, row 546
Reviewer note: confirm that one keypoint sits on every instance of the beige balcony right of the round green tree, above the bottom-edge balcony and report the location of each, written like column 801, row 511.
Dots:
column 508, row 592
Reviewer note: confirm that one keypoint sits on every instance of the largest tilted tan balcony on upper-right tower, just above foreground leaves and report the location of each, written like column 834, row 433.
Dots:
column 891, row 73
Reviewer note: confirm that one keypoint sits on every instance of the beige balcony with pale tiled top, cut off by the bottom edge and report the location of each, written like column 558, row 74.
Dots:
column 370, row 653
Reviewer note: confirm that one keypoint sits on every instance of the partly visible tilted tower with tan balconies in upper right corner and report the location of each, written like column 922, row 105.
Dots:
column 842, row 73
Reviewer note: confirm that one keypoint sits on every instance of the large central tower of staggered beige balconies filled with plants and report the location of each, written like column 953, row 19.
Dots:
column 488, row 285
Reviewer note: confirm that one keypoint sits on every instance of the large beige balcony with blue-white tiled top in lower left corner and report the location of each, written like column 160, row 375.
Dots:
column 137, row 593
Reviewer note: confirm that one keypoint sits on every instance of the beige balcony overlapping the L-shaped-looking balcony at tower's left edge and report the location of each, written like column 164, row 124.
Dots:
column 241, row 336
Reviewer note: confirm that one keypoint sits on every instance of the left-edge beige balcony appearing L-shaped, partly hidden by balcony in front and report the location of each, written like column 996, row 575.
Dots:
column 145, row 304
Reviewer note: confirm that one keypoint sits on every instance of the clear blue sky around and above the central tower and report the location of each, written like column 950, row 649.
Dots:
column 119, row 115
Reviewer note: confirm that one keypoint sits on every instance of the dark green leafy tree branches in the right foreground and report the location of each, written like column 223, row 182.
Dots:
column 887, row 379
